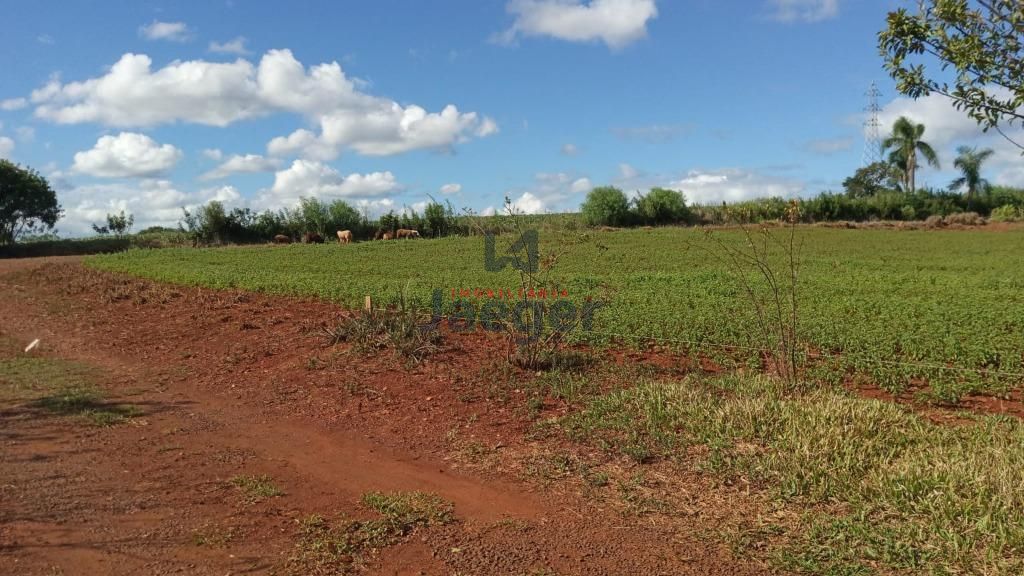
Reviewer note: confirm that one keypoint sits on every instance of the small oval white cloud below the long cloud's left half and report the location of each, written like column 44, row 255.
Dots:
column 127, row 155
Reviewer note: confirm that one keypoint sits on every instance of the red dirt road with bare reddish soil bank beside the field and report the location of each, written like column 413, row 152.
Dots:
column 234, row 384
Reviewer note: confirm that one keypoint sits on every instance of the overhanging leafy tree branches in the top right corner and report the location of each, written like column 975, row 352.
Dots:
column 980, row 42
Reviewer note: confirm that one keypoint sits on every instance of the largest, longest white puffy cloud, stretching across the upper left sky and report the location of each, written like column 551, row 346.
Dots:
column 132, row 94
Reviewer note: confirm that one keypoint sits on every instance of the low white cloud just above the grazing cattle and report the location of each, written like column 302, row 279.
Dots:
column 315, row 180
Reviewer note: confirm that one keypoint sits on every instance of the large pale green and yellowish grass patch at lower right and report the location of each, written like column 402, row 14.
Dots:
column 917, row 497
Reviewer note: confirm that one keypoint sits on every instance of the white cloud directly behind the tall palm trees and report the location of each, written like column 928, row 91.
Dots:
column 947, row 129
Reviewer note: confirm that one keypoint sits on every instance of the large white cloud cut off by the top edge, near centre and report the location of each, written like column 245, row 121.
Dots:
column 617, row 23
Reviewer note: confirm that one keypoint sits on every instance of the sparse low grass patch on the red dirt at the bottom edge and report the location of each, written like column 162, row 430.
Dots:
column 327, row 550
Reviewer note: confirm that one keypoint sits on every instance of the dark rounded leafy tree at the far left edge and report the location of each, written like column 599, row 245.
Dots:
column 28, row 204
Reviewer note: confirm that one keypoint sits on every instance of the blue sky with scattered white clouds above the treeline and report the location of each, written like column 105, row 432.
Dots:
column 154, row 106
